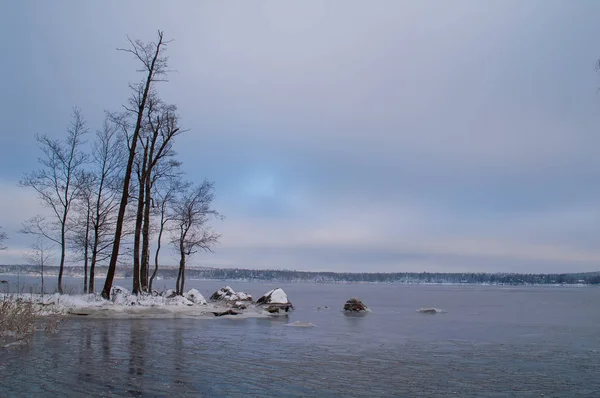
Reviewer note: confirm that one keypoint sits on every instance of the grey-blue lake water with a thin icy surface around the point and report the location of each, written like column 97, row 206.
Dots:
column 491, row 341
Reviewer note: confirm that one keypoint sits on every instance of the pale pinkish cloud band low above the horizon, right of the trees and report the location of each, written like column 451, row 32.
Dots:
column 387, row 241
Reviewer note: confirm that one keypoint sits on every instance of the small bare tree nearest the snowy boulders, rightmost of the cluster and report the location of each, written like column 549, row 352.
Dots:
column 191, row 213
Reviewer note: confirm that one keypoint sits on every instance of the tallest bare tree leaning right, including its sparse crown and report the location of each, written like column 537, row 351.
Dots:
column 155, row 67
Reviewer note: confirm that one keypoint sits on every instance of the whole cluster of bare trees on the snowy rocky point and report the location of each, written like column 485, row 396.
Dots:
column 109, row 205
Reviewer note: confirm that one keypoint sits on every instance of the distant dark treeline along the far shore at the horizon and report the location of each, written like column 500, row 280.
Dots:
column 592, row 278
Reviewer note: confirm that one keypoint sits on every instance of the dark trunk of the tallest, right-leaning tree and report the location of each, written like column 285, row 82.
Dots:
column 110, row 275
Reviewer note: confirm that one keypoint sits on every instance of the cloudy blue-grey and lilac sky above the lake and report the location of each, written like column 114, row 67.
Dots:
column 387, row 136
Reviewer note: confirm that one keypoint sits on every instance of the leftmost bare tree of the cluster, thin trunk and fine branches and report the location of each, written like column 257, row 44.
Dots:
column 56, row 185
